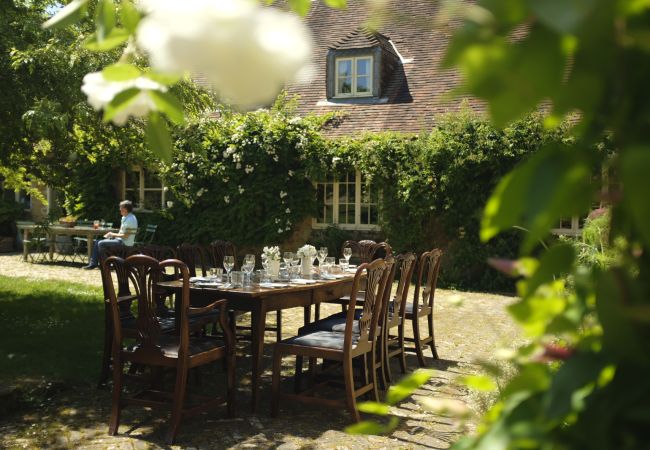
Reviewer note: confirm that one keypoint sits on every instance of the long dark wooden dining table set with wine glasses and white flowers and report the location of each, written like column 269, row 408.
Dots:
column 258, row 301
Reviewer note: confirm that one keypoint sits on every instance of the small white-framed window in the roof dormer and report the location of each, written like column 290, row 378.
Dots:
column 353, row 76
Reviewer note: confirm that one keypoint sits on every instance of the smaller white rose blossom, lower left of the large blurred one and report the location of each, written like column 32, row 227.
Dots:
column 101, row 92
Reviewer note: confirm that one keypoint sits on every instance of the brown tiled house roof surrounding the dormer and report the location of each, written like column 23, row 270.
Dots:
column 414, row 95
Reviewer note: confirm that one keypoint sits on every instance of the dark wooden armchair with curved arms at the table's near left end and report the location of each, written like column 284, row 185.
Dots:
column 160, row 351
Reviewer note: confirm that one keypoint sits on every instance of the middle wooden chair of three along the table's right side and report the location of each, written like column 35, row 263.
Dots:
column 395, row 316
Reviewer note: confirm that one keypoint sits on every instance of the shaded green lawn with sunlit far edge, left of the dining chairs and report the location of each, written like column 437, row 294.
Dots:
column 49, row 329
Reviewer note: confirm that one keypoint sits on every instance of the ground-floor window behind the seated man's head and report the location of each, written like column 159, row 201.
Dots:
column 144, row 189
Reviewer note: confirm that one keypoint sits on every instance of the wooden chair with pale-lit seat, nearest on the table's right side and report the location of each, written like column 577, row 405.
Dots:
column 356, row 342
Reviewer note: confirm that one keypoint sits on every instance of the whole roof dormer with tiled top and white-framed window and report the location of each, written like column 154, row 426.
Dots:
column 360, row 65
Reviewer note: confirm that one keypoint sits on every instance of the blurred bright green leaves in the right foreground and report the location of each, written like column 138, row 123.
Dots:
column 582, row 380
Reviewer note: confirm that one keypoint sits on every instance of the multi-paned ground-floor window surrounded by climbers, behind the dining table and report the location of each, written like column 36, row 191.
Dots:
column 348, row 202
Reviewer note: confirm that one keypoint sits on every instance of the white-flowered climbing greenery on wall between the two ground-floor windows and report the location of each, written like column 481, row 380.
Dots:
column 242, row 178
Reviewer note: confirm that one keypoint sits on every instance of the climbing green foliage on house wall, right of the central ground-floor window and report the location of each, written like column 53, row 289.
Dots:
column 434, row 186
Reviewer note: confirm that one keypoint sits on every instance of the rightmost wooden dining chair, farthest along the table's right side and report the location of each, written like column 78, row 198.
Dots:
column 422, row 306
